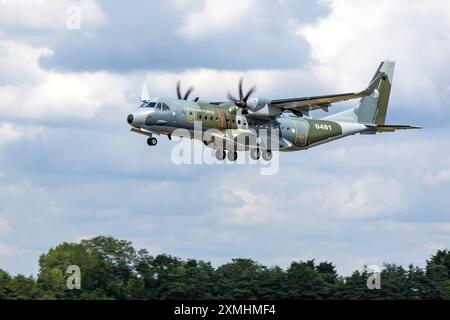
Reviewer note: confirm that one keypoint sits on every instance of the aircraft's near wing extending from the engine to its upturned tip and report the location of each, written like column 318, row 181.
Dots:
column 307, row 104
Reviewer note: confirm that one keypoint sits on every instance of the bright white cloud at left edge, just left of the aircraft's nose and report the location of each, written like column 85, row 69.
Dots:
column 41, row 94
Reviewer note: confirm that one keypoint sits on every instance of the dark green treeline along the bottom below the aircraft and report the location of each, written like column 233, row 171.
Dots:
column 113, row 269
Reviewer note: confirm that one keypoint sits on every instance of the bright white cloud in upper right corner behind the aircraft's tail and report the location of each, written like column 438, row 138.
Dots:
column 348, row 44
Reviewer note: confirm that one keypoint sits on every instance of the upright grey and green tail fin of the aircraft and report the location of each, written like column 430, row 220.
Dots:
column 373, row 109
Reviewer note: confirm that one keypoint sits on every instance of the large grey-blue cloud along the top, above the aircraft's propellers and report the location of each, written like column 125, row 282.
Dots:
column 180, row 35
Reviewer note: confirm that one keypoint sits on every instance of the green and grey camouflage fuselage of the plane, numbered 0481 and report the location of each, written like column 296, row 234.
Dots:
column 168, row 116
